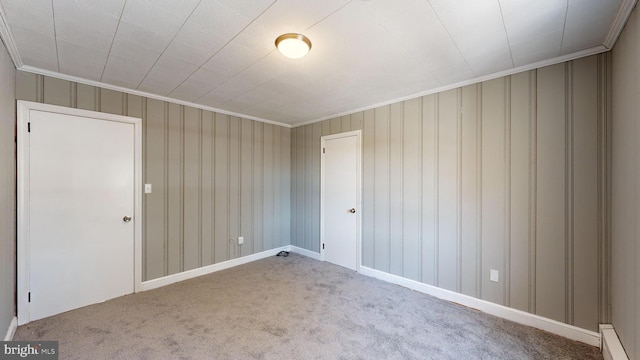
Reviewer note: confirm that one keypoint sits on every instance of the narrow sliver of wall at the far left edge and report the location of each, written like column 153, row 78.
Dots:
column 7, row 191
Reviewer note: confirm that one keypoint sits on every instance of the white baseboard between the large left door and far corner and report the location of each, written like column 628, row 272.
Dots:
column 189, row 274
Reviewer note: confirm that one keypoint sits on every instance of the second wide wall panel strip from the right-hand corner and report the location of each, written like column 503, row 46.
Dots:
column 551, row 210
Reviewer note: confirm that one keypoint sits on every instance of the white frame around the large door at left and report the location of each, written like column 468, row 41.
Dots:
column 24, row 109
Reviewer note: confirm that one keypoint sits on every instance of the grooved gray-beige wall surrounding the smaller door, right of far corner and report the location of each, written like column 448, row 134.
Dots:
column 507, row 174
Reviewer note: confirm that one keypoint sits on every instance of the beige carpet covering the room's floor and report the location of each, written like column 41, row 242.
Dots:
column 292, row 308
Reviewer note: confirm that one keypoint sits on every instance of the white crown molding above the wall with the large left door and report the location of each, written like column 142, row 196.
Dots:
column 80, row 80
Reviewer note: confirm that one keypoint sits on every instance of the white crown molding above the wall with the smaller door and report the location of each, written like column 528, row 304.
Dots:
column 560, row 59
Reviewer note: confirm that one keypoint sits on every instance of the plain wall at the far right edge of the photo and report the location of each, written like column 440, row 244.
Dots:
column 625, row 207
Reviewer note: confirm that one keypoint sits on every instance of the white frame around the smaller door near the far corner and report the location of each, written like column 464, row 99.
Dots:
column 323, row 140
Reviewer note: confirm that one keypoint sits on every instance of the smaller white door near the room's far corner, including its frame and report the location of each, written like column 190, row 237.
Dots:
column 340, row 199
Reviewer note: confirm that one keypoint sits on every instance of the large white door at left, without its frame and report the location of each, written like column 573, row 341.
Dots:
column 80, row 212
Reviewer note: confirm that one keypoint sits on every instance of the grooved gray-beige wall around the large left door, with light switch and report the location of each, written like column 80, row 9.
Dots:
column 215, row 177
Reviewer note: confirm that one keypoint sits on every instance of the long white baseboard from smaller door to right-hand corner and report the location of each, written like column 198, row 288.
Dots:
column 569, row 331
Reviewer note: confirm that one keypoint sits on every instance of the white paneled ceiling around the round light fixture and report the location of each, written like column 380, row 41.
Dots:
column 220, row 54
